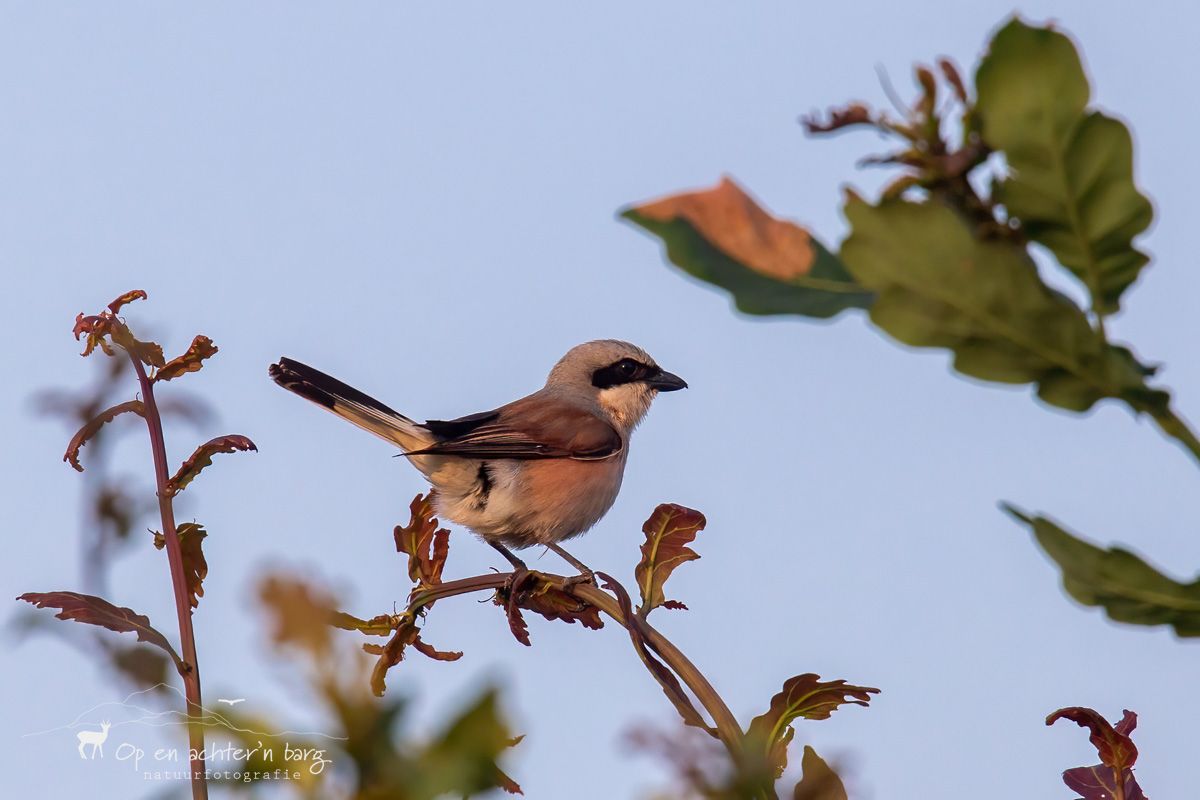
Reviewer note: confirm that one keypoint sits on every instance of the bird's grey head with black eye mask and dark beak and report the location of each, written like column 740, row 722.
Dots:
column 620, row 377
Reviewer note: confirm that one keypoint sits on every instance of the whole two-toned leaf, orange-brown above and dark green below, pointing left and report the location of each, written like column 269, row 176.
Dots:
column 770, row 266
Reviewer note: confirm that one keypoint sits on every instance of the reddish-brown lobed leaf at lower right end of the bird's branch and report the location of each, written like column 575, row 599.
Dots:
column 805, row 696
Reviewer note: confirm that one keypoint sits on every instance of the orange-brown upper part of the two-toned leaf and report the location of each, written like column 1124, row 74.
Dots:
column 734, row 224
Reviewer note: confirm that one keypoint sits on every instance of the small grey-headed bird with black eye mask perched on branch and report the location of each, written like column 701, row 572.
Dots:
column 536, row 472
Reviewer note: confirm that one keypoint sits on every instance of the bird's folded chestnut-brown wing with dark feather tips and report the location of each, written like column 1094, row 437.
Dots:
column 532, row 428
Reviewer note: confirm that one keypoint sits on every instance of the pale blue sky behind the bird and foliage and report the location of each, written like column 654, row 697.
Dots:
column 421, row 200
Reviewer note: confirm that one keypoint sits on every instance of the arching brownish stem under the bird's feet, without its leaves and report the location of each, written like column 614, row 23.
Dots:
column 727, row 725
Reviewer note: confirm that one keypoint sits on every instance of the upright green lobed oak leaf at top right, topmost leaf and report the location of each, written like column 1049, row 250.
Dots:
column 1072, row 183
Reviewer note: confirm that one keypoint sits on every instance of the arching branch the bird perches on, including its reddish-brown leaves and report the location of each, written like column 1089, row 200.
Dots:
column 758, row 755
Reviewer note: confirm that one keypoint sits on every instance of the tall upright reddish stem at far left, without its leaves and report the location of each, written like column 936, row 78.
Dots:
column 191, row 670
